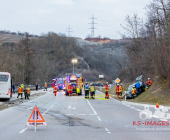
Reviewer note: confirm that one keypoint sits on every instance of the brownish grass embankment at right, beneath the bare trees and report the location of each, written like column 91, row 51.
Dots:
column 159, row 92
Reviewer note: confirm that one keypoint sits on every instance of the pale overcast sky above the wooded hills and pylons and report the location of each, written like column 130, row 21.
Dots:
column 42, row 16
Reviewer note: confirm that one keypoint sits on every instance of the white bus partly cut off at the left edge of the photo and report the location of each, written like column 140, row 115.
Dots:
column 5, row 85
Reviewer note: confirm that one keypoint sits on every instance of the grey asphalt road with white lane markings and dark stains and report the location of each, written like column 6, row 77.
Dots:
column 73, row 118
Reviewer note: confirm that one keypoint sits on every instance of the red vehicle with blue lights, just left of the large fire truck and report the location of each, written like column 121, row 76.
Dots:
column 59, row 82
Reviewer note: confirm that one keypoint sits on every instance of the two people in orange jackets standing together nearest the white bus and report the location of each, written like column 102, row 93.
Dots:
column 27, row 92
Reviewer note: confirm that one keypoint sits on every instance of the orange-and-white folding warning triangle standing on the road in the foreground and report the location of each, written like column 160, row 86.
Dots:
column 36, row 118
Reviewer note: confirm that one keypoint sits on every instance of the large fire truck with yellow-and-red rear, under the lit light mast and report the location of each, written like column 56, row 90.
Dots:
column 76, row 81
